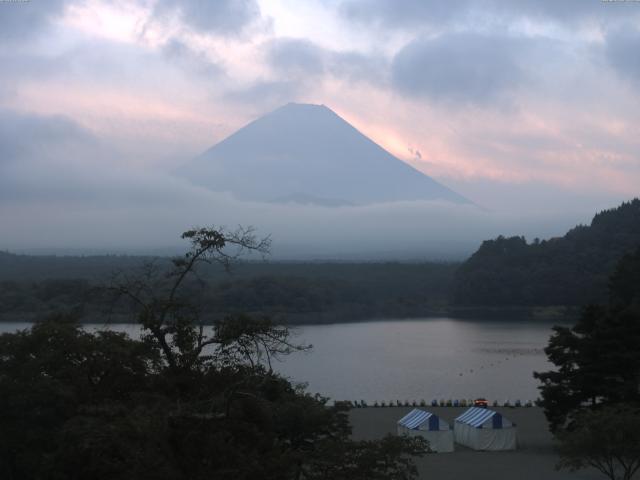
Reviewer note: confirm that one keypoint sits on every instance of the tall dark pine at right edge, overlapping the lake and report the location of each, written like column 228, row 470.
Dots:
column 598, row 359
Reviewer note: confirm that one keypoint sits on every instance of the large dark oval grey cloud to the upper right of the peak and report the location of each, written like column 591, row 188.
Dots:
column 461, row 67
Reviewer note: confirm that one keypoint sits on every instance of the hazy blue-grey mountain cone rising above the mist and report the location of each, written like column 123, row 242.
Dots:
column 307, row 154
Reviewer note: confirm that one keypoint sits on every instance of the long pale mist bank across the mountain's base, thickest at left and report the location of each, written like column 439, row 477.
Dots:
column 85, row 203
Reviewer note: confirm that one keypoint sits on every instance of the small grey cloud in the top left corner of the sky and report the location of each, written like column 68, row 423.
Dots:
column 19, row 20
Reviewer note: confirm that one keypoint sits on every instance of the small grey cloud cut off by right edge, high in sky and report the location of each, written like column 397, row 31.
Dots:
column 623, row 52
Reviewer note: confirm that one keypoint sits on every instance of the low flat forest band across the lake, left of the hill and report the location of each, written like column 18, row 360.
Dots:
column 295, row 292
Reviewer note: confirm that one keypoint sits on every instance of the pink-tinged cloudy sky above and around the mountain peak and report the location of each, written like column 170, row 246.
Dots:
column 533, row 103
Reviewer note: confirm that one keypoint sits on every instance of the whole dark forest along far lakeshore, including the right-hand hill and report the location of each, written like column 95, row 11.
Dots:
column 506, row 277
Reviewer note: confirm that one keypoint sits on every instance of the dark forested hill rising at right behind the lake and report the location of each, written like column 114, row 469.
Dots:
column 570, row 270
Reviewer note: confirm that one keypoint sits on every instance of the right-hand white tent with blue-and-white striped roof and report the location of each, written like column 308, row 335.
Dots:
column 483, row 429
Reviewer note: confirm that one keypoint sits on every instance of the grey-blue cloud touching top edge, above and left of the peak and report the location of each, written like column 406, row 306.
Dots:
column 219, row 16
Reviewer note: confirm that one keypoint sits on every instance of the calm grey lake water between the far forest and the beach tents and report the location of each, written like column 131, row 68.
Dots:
column 413, row 359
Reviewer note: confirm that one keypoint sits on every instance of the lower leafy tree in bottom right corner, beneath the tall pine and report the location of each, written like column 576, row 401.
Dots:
column 607, row 439
